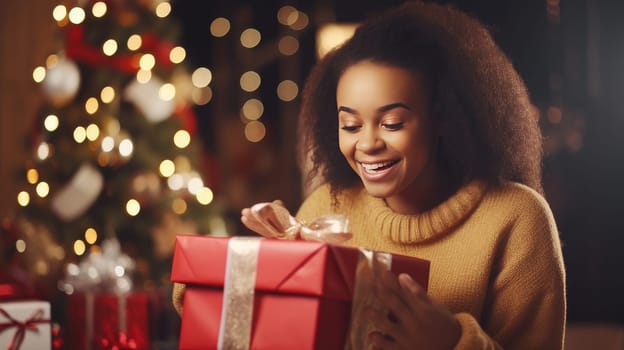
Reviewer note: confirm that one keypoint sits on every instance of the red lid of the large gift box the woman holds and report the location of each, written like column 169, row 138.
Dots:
column 291, row 267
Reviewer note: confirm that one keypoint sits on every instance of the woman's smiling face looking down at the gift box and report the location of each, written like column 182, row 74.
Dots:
column 385, row 133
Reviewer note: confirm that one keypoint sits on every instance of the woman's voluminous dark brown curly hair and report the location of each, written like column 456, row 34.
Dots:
column 480, row 104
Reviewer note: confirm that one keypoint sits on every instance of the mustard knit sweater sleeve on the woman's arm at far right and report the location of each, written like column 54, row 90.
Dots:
column 526, row 307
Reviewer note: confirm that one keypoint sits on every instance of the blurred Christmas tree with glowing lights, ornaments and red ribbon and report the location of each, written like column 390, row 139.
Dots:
column 115, row 152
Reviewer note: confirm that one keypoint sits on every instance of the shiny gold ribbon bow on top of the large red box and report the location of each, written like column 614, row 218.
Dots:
column 278, row 223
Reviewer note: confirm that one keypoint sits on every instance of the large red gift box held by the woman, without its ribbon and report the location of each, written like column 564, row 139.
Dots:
column 302, row 291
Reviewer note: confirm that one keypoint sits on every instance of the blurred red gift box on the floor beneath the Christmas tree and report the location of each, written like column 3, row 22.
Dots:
column 108, row 321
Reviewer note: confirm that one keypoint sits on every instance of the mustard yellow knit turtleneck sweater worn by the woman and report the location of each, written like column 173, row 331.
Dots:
column 495, row 255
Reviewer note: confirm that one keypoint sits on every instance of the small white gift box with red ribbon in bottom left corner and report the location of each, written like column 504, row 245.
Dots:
column 25, row 325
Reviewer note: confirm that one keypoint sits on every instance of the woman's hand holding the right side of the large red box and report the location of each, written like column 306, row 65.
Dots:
column 411, row 319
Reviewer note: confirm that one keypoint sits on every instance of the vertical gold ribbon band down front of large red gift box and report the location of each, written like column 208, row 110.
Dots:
column 238, row 293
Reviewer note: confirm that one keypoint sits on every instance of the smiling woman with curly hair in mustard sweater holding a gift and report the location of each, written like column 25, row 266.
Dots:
column 424, row 135
